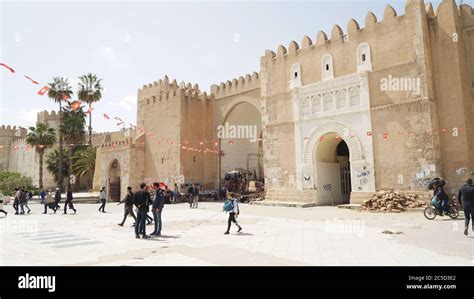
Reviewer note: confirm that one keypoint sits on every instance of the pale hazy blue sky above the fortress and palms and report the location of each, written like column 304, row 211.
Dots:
column 130, row 43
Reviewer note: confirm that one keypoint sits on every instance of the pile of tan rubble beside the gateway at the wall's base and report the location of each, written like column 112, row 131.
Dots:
column 392, row 202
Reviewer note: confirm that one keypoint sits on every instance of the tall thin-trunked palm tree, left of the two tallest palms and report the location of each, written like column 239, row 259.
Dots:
column 59, row 90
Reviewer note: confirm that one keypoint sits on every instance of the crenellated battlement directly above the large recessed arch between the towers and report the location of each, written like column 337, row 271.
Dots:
column 234, row 86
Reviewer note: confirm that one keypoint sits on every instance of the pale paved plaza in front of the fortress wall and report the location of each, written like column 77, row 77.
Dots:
column 271, row 236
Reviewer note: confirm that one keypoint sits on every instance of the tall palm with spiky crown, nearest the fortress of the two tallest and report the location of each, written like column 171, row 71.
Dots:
column 90, row 91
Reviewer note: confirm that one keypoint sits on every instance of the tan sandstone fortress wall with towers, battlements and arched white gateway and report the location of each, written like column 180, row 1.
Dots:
column 398, row 93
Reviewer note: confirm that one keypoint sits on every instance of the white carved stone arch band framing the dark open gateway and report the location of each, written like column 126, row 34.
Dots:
column 346, row 133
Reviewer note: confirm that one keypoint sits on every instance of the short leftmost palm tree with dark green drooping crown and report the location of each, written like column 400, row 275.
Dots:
column 41, row 137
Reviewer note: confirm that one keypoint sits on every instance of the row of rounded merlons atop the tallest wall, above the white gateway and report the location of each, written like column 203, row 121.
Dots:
column 339, row 36
